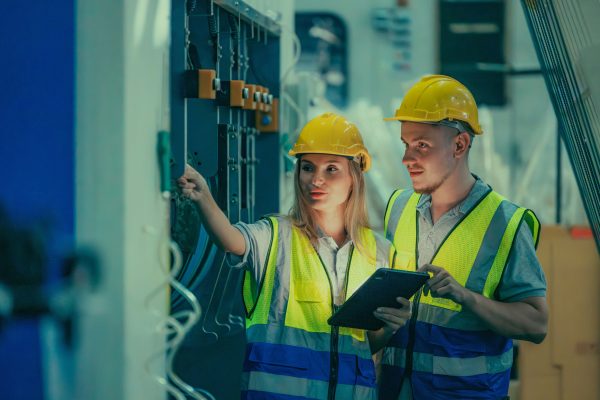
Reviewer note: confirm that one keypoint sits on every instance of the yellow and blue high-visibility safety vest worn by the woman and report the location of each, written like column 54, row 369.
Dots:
column 292, row 352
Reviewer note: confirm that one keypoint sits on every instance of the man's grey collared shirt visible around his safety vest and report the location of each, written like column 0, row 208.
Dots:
column 523, row 276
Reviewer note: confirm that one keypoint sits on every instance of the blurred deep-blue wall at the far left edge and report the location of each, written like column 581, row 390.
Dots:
column 36, row 156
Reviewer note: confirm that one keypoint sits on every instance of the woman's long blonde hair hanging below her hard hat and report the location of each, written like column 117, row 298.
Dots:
column 356, row 217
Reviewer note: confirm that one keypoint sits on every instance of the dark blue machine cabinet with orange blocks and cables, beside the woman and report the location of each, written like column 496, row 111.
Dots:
column 225, row 86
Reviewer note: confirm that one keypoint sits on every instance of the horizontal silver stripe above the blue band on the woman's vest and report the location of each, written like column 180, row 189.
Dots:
column 277, row 334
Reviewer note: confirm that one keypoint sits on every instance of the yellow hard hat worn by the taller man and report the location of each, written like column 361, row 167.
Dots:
column 437, row 98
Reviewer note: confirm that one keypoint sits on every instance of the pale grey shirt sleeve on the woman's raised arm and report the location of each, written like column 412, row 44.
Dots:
column 258, row 239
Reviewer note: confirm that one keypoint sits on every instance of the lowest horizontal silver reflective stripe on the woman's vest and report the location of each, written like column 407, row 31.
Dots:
column 291, row 386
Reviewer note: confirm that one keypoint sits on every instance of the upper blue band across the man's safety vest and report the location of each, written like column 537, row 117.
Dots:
column 448, row 342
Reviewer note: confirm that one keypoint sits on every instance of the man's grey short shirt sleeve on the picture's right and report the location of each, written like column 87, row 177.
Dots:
column 523, row 275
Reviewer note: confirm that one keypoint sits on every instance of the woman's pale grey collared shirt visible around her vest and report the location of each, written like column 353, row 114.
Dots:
column 335, row 258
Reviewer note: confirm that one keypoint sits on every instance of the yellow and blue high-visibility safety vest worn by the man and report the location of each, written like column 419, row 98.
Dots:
column 445, row 352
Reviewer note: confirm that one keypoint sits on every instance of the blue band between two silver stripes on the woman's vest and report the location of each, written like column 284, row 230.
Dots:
column 301, row 362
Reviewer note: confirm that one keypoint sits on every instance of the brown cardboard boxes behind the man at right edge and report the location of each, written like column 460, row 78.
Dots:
column 567, row 364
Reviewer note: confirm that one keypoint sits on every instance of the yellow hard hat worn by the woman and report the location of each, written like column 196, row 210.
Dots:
column 330, row 133
